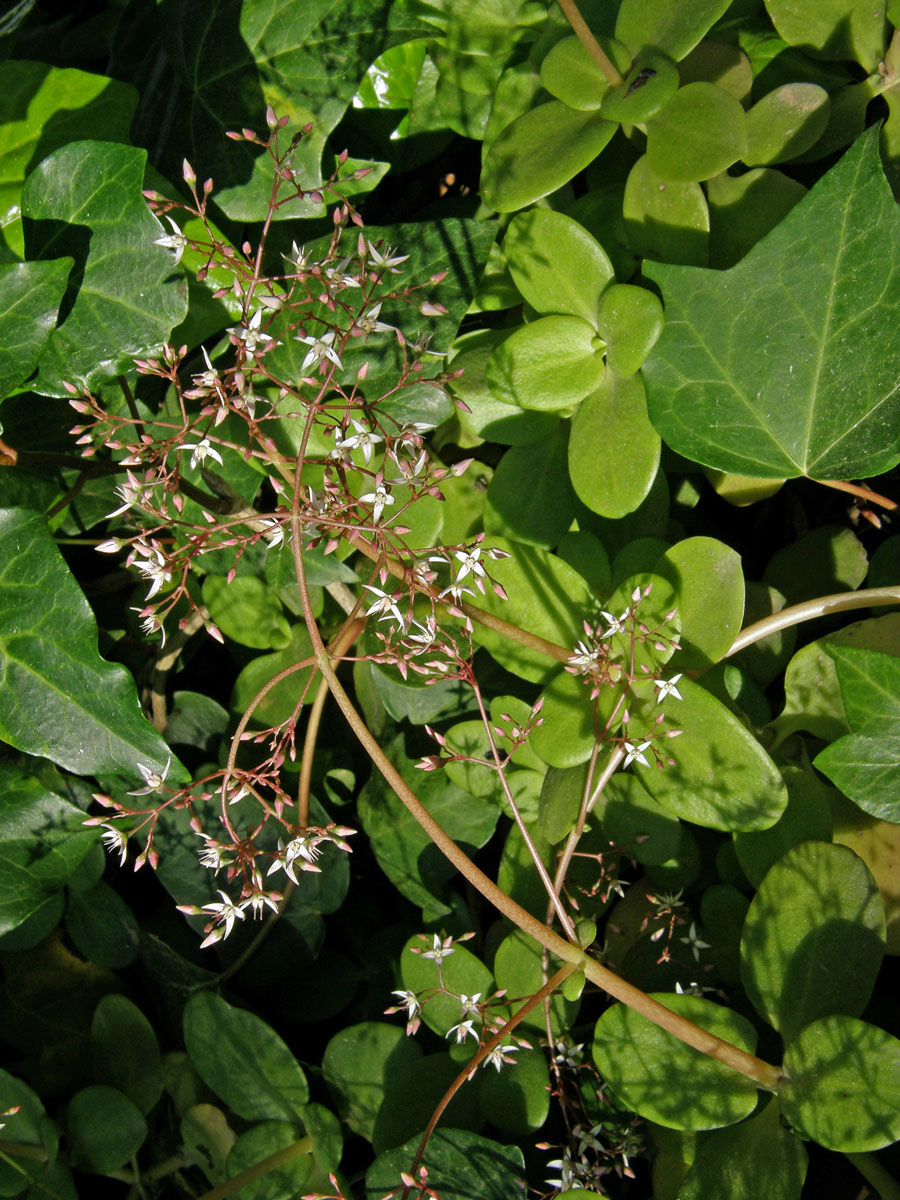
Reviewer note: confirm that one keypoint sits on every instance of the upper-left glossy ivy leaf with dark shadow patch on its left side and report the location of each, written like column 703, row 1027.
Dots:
column 124, row 298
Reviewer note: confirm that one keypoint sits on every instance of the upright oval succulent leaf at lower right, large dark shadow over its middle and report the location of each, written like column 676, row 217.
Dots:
column 814, row 938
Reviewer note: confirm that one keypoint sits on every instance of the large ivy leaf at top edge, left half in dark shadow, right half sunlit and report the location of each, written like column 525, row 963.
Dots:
column 215, row 69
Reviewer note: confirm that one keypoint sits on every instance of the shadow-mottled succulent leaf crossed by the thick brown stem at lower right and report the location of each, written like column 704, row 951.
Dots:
column 667, row 1081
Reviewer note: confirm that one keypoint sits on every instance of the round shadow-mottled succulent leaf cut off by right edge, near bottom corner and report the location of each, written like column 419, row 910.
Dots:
column 842, row 1085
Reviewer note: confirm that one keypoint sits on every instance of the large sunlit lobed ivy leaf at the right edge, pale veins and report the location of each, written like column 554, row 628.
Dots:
column 788, row 364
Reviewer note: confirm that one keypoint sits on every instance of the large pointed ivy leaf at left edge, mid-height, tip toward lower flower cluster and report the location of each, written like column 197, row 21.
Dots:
column 58, row 698
